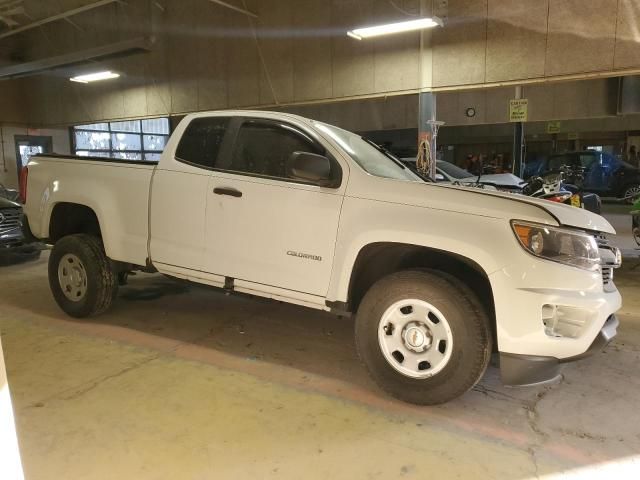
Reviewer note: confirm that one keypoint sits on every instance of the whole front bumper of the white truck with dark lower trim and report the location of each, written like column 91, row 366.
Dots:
column 548, row 314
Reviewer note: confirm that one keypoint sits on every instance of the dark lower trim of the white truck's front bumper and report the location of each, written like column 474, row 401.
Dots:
column 522, row 370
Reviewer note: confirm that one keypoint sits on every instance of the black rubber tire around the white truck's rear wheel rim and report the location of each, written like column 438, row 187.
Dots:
column 102, row 282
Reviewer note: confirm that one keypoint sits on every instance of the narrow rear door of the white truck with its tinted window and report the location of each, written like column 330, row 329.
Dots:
column 179, row 194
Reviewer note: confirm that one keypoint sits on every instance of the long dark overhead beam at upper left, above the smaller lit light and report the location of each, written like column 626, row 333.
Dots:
column 113, row 50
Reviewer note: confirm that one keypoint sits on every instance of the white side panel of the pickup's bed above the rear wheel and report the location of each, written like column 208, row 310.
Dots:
column 116, row 190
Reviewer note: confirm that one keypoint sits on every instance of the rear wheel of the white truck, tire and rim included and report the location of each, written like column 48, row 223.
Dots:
column 81, row 277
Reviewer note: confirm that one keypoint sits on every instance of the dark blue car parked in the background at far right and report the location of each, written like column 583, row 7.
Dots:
column 604, row 174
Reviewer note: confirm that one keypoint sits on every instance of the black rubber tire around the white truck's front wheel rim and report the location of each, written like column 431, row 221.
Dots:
column 470, row 329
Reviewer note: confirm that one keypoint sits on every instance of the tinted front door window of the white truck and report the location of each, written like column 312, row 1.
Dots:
column 263, row 148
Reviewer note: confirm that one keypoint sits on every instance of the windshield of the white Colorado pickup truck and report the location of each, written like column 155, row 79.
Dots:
column 367, row 155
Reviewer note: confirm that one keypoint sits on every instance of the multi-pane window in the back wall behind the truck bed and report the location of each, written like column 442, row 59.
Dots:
column 128, row 140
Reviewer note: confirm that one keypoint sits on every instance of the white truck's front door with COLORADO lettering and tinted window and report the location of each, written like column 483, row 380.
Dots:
column 263, row 226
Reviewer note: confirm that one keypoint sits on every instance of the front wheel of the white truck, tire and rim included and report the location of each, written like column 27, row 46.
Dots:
column 423, row 339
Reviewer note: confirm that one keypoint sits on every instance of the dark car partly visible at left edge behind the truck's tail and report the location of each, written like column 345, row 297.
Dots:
column 13, row 247
